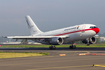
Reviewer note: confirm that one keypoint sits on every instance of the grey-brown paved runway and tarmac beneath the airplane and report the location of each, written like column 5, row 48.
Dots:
column 71, row 61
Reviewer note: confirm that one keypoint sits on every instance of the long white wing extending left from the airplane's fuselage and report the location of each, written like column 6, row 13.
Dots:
column 35, row 37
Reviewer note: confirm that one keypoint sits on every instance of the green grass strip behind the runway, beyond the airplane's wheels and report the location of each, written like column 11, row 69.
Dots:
column 47, row 46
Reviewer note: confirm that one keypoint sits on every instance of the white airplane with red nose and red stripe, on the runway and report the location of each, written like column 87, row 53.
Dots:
column 84, row 32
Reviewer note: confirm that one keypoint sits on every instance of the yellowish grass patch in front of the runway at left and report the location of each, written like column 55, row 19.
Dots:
column 15, row 55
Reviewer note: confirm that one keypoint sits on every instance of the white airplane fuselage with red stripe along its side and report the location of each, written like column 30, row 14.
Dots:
column 75, row 33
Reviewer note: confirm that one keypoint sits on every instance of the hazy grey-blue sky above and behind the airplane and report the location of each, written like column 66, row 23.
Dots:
column 49, row 14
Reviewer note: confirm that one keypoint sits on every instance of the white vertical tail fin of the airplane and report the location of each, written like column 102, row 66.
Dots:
column 32, row 26
